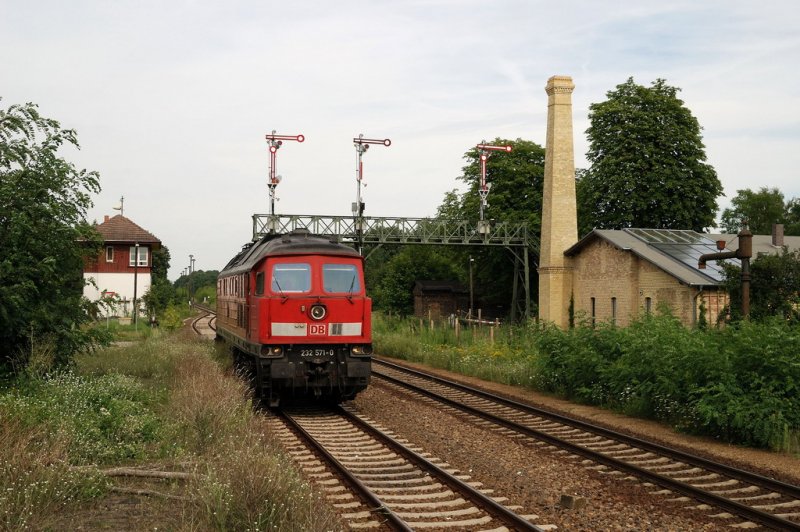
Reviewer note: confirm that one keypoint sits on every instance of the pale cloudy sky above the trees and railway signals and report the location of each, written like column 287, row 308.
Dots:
column 172, row 100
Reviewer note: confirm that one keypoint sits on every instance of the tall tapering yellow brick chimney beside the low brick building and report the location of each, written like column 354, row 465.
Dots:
column 559, row 211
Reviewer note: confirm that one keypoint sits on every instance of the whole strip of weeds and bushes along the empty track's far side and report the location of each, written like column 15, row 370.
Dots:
column 738, row 384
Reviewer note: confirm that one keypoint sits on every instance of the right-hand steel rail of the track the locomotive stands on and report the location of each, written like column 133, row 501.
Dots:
column 492, row 507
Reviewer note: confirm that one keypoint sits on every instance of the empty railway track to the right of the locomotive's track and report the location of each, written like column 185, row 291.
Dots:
column 737, row 493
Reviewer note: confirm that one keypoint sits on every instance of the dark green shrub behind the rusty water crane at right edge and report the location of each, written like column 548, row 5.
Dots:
column 774, row 287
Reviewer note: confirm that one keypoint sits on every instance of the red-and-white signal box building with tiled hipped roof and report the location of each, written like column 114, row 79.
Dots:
column 115, row 269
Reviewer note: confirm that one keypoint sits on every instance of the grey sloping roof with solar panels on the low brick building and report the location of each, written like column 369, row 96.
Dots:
column 673, row 251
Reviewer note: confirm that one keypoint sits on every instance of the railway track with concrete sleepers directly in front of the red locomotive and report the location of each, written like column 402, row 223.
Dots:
column 400, row 487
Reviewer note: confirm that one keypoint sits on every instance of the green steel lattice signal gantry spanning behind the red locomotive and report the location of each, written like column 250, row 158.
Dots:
column 427, row 231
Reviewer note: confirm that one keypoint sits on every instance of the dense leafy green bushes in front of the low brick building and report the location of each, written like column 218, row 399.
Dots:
column 738, row 384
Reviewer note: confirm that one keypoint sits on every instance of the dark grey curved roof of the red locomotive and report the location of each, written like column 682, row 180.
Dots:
column 298, row 242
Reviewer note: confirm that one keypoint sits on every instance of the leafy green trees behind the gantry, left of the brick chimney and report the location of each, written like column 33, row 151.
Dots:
column 516, row 196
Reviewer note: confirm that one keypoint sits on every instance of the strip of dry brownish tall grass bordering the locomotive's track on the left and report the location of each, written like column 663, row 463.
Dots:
column 245, row 481
